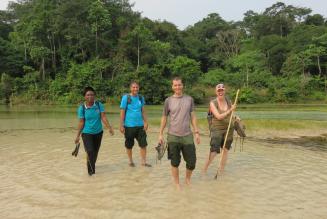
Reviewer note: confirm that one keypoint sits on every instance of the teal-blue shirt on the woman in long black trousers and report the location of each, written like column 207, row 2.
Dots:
column 92, row 119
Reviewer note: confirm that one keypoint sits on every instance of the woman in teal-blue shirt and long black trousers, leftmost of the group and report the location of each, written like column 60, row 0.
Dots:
column 90, row 115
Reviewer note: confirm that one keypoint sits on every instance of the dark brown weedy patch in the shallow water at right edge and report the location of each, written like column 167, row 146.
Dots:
column 316, row 143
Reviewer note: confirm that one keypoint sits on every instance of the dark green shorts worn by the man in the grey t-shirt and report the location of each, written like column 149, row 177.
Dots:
column 184, row 144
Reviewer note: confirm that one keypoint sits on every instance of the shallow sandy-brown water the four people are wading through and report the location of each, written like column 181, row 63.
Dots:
column 40, row 179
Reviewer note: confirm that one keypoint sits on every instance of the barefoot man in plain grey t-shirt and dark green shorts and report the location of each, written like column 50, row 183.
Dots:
column 180, row 109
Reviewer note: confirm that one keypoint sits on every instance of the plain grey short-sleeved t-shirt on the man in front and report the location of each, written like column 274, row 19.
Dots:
column 179, row 110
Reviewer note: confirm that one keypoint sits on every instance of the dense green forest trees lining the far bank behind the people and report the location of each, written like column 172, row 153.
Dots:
column 51, row 49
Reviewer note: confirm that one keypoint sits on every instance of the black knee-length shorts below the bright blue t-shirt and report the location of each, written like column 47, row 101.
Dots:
column 137, row 133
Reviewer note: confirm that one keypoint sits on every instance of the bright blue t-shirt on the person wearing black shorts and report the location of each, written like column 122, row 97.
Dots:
column 133, row 112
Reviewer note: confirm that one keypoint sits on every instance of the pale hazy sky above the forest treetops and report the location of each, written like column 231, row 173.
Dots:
column 187, row 12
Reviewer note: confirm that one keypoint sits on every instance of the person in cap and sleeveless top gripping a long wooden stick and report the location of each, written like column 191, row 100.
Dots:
column 221, row 109
